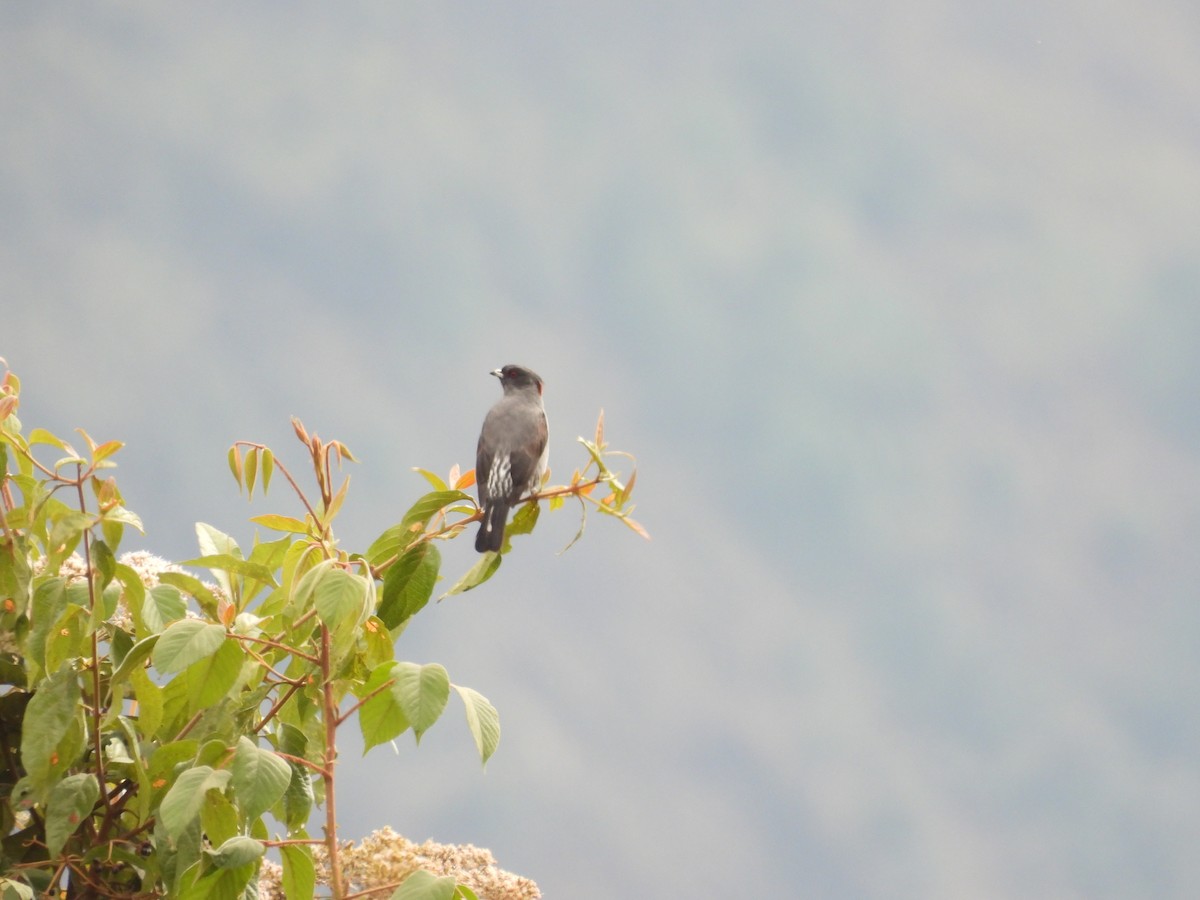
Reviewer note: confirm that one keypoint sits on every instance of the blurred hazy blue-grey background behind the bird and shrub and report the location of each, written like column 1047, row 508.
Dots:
column 898, row 305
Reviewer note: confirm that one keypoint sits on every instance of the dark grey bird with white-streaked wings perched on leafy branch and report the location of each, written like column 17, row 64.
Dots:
column 511, row 459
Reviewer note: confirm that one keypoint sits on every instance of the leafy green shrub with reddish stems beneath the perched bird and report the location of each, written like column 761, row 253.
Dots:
column 153, row 723
